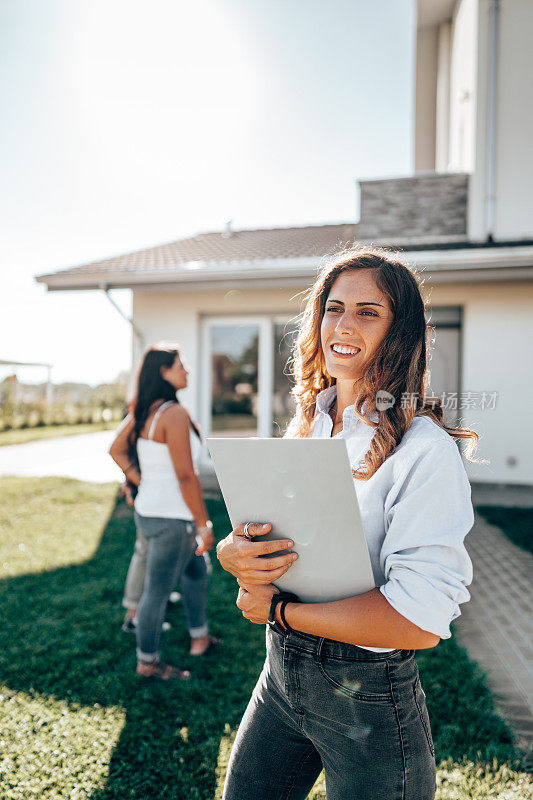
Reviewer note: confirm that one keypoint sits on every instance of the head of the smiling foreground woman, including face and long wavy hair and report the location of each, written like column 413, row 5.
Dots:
column 370, row 300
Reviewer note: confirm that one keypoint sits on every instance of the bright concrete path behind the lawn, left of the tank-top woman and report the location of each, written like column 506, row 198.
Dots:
column 82, row 456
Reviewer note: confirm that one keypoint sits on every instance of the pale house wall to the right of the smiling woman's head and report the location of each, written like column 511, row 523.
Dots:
column 497, row 341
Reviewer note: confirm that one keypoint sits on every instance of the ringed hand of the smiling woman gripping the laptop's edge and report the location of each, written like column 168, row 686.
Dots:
column 239, row 555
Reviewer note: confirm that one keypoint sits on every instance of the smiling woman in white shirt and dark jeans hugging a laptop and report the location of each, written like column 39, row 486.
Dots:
column 340, row 688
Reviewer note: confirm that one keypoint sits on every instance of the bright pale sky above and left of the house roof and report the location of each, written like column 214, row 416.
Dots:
column 127, row 124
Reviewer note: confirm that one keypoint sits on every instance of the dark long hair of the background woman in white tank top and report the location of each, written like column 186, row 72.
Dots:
column 151, row 386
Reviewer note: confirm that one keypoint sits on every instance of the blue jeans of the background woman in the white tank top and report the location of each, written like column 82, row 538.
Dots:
column 170, row 560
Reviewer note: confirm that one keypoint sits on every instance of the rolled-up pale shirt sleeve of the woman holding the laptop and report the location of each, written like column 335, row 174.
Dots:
column 428, row 513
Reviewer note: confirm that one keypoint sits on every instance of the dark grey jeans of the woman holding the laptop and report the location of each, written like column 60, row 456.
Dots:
column 358, row 714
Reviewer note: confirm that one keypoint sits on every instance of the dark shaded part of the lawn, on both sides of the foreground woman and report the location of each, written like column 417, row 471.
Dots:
column 61, row 637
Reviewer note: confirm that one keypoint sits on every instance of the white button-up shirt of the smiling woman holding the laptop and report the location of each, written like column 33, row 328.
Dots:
column 416, row 511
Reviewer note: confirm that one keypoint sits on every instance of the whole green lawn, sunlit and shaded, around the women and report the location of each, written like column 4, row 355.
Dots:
column 78, row 724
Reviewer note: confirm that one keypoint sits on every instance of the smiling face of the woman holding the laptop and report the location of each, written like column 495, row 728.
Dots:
column 357, row 316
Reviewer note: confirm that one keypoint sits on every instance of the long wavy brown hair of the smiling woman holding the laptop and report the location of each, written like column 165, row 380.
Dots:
column 399, row 366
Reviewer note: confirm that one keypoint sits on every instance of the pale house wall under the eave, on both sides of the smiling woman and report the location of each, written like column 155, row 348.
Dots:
column 497, row 341
